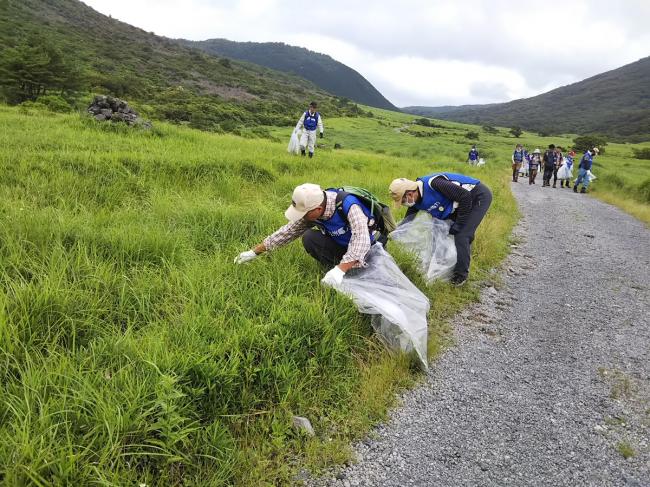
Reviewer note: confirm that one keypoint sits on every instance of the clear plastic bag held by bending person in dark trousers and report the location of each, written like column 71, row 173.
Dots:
column 428, row 238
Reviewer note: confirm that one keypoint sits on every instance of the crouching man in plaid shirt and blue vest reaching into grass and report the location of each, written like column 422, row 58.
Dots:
column 337, row 230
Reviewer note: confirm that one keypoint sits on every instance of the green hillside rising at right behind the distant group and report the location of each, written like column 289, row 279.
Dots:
column 616, row 103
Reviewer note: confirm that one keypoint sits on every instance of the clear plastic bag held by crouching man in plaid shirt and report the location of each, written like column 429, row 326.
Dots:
column 399, row 308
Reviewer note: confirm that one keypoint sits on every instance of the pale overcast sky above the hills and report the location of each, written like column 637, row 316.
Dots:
column 424, row 52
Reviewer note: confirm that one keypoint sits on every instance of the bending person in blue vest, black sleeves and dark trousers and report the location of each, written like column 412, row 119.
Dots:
column 447, row 196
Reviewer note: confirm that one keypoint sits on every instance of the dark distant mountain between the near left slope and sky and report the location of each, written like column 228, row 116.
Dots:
column 325, row 72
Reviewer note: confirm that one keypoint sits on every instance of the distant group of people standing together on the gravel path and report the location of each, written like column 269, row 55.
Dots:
column 554, row 164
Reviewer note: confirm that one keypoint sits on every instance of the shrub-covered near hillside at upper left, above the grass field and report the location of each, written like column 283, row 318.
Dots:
column 69, row 48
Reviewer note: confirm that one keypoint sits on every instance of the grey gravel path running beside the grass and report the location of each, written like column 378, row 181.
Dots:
column 550, row 377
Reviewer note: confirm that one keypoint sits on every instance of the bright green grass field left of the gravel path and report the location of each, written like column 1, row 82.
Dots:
column 133, row 351
